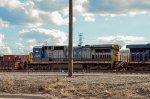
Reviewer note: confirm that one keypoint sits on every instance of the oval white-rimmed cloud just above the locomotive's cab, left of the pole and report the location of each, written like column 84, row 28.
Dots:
column 41, row 34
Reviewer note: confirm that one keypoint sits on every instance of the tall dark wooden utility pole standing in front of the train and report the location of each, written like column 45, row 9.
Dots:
column 70, row 65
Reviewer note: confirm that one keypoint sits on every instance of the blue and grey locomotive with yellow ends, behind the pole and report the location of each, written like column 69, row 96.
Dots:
column 55, row 58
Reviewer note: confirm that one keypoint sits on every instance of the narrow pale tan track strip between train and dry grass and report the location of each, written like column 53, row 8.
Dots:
column 33, row 74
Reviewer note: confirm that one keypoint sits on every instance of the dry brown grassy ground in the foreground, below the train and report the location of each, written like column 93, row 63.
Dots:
column 99, row 86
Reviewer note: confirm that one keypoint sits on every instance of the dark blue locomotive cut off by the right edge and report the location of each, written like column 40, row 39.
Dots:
column 139, row 57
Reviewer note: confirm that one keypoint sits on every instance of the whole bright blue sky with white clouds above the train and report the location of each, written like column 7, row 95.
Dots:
column 28, row 23
